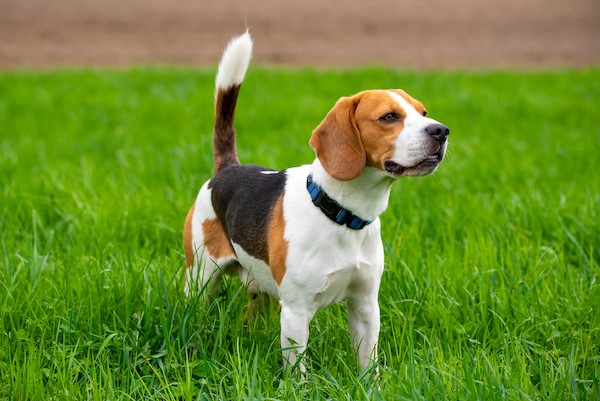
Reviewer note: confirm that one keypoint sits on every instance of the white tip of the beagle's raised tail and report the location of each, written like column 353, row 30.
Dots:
column 234, row 62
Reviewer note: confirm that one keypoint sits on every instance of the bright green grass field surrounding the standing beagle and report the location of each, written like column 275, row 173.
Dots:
column 491, row 289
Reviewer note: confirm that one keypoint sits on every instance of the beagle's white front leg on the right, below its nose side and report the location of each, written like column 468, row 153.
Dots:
column 363, row 322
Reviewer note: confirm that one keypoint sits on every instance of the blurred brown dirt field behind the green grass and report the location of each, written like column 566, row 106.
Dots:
column 414, row 34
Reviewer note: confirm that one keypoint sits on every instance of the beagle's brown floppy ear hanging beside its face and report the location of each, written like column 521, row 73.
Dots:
column 337, row 141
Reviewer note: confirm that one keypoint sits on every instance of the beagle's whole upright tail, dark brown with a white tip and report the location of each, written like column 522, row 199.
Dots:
column 232, row 69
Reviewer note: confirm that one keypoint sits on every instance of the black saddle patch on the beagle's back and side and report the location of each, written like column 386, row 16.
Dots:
column 244, row 197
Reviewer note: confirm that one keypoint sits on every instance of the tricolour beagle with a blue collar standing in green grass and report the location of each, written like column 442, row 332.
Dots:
column 309, row 236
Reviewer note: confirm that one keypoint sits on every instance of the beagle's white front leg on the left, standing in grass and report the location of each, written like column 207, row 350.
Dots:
column 294, row 335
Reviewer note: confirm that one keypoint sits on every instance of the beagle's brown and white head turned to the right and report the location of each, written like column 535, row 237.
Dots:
column 385, row 129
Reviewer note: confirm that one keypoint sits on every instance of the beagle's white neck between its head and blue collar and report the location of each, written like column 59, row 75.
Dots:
column 366, row 196
